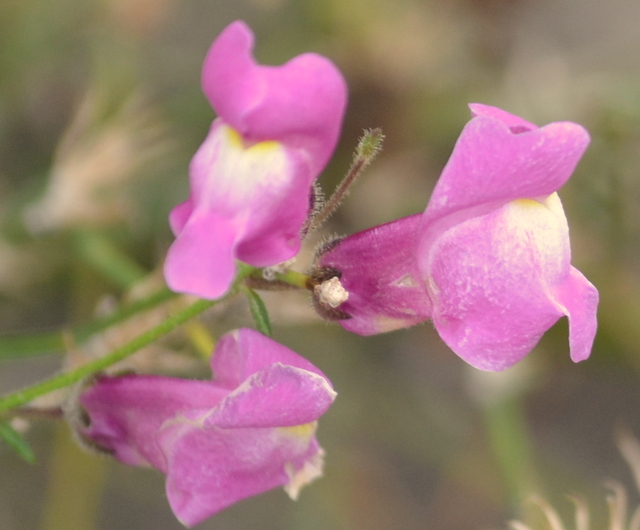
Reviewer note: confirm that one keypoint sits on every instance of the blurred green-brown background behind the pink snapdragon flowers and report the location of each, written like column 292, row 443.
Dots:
column 100, row 112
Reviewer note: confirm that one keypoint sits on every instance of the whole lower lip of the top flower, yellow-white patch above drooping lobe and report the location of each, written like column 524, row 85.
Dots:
column 247, row 202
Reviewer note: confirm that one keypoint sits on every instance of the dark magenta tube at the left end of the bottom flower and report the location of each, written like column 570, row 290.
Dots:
column 126, row 412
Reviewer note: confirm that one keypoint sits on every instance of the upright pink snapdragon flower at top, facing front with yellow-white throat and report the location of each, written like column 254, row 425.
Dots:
column 251, row 178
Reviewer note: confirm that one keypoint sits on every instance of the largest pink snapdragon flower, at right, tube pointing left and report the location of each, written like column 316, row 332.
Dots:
column 489, row 260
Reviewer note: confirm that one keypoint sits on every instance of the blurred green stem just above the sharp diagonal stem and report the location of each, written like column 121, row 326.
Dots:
column 42, row 343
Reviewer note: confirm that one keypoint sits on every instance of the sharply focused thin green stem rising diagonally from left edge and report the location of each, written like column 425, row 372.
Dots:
column 28, row 394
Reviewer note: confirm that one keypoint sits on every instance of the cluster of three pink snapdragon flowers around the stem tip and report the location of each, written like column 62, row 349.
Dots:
column 488, row 261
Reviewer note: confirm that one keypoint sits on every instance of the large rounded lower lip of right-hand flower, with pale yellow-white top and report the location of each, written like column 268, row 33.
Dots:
column 492, row 280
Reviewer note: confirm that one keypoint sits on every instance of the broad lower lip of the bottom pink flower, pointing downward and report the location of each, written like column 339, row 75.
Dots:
column 210, row 469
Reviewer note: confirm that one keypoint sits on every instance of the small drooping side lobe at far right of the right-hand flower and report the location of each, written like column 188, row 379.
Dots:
column 579, row 299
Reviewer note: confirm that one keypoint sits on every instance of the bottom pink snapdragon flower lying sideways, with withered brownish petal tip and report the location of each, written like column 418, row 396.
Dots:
column 250, row 430
